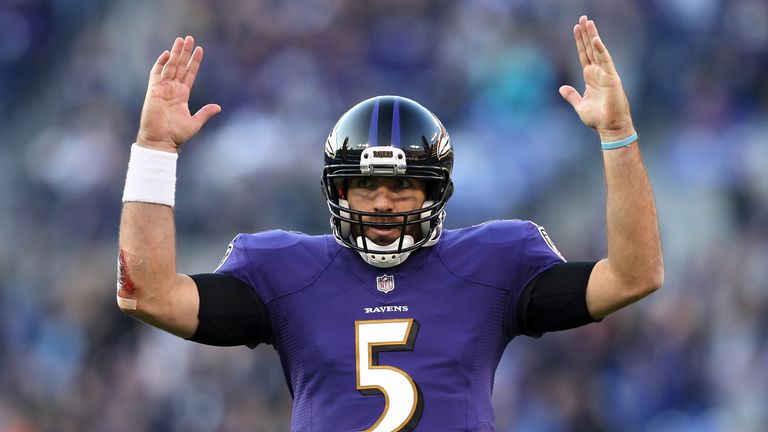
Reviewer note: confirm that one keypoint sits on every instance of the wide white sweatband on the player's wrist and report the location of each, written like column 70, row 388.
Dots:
column 151, row 176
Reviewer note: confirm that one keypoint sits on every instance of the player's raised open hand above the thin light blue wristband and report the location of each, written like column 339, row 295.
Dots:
column 603, row 106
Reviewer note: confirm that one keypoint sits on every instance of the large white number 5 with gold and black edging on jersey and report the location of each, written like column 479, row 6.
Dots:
column 403, row 401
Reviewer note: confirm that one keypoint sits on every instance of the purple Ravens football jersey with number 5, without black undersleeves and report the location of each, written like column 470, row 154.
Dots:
column 367, row 348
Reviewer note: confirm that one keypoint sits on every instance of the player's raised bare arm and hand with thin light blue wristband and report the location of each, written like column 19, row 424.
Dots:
column 634, row 266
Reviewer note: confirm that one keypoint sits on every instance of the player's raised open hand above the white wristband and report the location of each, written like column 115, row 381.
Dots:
column 166, row 122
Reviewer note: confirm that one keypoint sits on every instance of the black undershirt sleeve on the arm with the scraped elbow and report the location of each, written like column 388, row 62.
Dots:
column 230, row 312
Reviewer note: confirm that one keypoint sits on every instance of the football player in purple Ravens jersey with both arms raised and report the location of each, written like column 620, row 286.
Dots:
column 392, row 322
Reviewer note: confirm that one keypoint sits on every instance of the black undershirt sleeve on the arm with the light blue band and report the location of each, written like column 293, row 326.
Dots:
column 555, row 300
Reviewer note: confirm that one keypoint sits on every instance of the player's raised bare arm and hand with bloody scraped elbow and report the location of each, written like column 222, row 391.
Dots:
column 148, row 286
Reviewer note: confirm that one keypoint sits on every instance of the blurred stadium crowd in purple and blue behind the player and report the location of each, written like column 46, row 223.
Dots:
column 693, row 357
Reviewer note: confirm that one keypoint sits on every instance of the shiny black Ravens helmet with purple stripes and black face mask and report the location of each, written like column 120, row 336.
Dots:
column 388, row 136
